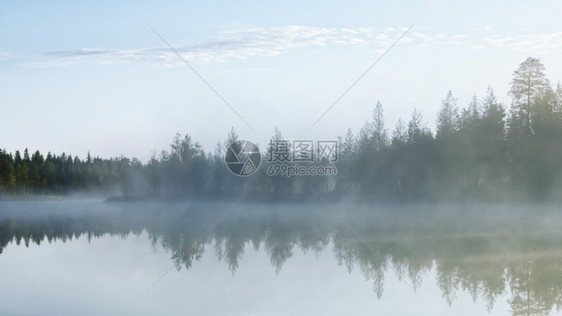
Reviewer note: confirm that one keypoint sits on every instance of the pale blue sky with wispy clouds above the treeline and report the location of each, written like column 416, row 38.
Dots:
column 79, row 76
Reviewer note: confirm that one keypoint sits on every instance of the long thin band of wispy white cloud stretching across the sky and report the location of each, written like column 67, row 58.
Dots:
column 245, row 43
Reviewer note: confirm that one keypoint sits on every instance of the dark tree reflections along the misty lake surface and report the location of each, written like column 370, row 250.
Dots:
column 526, row 265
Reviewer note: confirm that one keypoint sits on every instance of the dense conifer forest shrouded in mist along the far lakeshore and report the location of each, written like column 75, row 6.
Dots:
column 485, row 151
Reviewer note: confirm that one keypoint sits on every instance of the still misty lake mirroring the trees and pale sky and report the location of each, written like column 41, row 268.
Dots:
column 88, row 257
